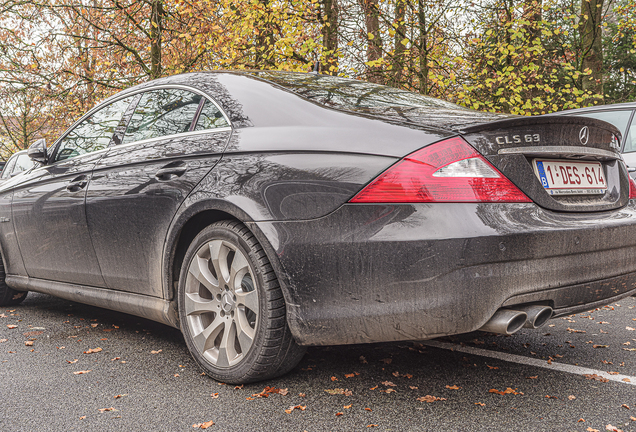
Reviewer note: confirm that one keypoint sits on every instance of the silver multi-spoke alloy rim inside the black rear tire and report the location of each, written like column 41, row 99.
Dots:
column 221, row 303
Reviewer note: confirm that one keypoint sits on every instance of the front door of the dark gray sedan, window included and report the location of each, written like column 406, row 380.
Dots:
column 48, row 205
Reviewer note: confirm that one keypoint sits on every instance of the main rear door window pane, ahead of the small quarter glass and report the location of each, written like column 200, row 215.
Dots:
column 161, row 113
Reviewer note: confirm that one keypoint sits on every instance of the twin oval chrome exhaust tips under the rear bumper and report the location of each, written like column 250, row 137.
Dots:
column 509, row 321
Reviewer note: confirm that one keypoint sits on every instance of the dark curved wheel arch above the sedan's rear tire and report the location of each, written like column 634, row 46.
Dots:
column 190, row 222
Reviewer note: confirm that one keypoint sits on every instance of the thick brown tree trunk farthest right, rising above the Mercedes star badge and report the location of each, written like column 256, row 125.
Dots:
column 592, row 45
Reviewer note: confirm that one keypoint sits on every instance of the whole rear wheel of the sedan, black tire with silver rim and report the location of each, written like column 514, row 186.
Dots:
column 258, row 344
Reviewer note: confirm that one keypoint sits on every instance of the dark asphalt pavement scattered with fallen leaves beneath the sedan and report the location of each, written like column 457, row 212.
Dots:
column 65, row 366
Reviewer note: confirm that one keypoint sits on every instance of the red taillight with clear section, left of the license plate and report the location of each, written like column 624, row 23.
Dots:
column 447, row 171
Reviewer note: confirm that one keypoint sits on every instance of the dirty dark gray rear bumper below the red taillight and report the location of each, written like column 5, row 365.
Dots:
column 371, row 273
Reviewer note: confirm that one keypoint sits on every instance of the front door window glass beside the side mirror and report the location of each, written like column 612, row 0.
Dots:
column 94, row 133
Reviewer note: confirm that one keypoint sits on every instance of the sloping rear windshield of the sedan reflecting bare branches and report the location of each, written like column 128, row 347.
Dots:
column 351, row 94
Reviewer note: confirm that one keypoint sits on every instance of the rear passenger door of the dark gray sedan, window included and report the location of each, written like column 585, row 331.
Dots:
column 139, row 184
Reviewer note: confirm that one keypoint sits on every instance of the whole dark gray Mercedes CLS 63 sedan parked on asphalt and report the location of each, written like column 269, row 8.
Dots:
column 262, row 212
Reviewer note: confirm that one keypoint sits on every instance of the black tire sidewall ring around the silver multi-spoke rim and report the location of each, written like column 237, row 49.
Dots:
column 222, row 231
